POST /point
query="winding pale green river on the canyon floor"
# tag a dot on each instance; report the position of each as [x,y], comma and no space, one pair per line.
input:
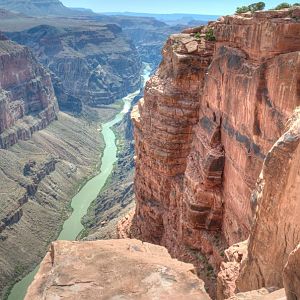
[83,199]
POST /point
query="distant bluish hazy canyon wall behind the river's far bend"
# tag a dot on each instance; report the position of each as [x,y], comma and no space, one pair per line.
[94,63]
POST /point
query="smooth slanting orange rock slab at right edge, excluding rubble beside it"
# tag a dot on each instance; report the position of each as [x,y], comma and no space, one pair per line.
[277,201]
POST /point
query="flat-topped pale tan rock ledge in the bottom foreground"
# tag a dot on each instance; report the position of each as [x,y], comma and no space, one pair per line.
[114,269]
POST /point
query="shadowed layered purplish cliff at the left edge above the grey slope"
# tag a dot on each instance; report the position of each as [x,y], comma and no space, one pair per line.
[27,100]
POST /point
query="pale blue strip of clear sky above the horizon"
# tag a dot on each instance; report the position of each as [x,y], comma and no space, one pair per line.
[206,7]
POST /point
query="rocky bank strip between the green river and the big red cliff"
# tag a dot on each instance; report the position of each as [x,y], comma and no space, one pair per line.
[116,198]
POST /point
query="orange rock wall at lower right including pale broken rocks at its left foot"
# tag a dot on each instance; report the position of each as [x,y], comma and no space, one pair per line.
[270,257]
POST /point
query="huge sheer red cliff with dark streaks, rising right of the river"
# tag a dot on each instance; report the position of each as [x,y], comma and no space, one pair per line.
[209,117]
